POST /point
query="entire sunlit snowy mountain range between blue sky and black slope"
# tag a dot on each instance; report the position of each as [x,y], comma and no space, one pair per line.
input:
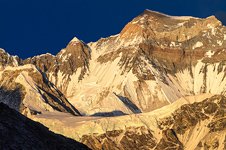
[158,67]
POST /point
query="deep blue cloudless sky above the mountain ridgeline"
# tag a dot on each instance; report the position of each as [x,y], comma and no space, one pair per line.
[31,27]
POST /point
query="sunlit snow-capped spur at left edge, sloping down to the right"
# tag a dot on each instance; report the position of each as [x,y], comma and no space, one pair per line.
[26,89]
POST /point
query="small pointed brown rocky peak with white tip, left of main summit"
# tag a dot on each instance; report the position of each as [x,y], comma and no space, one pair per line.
[70,63]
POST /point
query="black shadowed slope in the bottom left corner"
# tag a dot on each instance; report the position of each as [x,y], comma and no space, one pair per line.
[19,132]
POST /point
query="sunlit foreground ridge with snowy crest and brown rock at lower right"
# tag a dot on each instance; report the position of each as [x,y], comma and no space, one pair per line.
[194,122]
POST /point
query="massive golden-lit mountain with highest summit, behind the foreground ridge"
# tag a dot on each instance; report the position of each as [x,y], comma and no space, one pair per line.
[155,60]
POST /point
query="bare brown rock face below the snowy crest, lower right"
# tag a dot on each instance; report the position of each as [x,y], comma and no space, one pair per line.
[200,123]
